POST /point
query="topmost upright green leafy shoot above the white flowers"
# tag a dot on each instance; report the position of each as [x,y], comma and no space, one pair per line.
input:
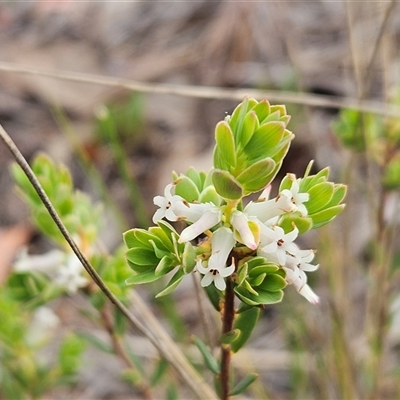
[250,147]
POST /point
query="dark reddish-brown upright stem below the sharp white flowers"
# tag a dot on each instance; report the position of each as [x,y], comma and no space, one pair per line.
[227,326]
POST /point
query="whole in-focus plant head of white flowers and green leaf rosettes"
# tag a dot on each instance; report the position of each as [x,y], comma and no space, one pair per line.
[249,245]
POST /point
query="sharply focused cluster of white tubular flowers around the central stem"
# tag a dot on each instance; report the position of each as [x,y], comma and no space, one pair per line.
[255,227]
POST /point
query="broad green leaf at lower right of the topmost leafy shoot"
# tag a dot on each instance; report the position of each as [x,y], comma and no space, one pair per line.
[256,177]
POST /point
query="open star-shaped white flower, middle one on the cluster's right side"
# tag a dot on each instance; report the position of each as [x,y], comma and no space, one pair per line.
[277,244]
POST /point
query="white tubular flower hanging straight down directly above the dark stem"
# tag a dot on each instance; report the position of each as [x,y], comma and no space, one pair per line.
[222,243]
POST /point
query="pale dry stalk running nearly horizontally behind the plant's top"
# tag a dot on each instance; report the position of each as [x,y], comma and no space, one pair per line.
[208,92]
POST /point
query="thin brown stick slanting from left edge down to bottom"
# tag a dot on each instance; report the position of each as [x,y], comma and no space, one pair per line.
[172,355]
